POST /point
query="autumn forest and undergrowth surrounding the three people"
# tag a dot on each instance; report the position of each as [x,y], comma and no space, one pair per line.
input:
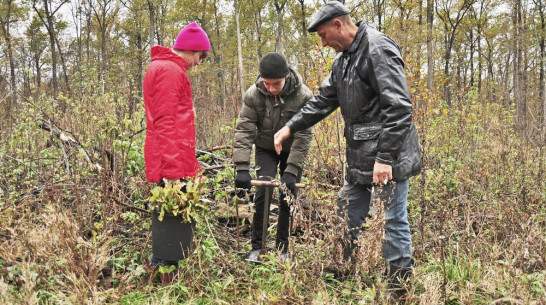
[73,223]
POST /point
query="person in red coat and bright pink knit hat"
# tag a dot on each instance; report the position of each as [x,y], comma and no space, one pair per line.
[169,150]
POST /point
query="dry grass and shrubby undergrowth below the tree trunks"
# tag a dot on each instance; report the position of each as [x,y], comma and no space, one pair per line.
[74,227]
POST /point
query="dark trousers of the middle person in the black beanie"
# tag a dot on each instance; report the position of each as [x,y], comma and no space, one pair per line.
[267,162]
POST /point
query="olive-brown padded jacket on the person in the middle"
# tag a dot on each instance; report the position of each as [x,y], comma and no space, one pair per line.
[263,115]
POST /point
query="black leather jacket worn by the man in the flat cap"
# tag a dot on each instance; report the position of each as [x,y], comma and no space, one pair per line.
[368,82]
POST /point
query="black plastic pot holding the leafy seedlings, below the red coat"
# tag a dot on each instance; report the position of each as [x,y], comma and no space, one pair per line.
[171,238]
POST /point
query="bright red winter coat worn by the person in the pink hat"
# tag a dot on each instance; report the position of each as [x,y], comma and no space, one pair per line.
[169,151]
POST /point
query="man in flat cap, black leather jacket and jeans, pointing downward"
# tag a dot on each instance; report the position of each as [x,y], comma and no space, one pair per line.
[368,83]
